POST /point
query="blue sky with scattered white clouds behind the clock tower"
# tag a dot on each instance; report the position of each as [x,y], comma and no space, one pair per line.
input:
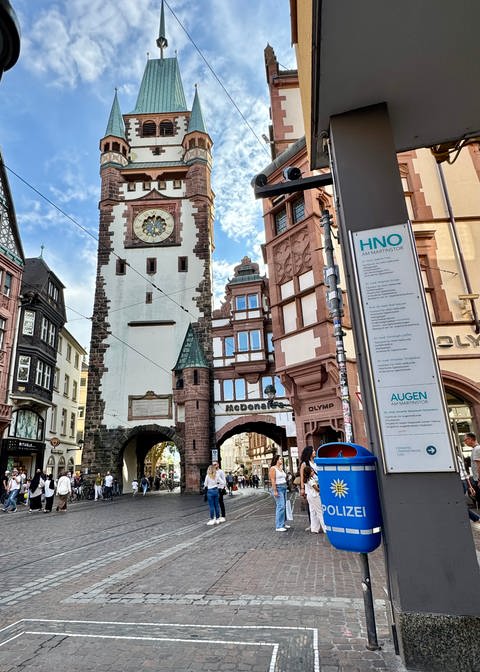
[55,102]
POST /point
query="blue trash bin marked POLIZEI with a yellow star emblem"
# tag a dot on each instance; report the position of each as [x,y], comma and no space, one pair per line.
[347,480]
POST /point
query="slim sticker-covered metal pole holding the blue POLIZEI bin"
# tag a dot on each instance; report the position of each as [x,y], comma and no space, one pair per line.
[334,303]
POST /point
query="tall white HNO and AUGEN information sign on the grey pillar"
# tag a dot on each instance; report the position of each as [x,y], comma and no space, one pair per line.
[411,410]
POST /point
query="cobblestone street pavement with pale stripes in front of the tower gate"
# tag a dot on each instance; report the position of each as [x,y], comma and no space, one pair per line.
[143,584]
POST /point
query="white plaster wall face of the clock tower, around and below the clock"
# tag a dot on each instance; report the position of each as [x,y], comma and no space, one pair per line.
[128,372]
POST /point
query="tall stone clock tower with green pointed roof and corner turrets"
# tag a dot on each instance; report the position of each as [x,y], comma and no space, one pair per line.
[153,285]
